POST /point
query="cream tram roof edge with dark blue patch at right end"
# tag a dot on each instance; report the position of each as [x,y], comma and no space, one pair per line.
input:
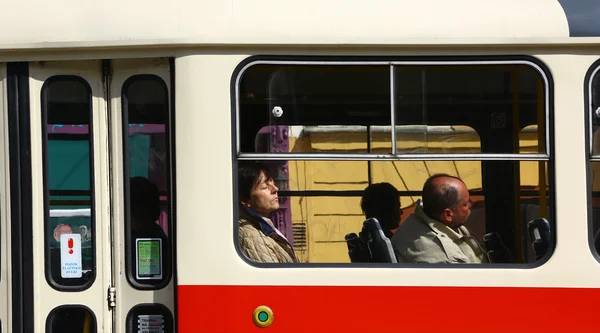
[37,24]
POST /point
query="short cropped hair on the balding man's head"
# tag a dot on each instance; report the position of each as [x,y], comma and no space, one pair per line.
[438,196]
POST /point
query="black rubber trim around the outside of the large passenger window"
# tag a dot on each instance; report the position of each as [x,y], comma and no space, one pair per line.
[550,126]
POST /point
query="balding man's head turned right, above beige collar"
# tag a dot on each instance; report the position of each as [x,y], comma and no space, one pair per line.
[446,199]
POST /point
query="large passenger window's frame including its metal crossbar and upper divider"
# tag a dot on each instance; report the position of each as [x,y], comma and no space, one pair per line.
[547,156]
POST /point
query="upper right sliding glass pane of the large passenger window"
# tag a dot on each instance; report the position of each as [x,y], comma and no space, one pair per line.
[469,109]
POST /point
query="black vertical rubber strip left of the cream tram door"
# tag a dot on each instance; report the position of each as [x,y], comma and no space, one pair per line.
[21,195]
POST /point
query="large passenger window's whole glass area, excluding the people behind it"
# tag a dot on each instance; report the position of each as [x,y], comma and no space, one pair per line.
[457,110]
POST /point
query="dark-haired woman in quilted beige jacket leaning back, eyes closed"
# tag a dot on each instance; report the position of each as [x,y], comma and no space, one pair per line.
[259,239]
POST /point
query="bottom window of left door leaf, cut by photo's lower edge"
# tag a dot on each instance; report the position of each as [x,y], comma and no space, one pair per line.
[71,319]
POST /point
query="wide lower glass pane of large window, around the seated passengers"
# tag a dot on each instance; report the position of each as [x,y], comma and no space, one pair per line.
[320,202]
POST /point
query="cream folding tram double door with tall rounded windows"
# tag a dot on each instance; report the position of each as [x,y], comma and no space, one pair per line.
[102,196]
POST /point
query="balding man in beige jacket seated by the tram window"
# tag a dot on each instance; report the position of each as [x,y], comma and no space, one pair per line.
[435,232]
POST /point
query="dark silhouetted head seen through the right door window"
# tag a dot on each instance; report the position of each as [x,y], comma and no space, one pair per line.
[144,199]
